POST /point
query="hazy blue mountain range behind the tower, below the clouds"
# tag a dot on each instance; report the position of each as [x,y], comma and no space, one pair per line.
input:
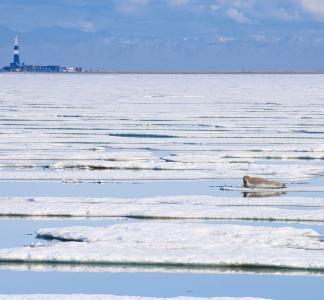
[239,48]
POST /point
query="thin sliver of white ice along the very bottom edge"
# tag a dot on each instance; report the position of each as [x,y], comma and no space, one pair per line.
[110,297]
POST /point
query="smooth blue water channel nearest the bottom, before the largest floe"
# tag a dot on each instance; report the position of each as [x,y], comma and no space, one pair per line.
[164,284]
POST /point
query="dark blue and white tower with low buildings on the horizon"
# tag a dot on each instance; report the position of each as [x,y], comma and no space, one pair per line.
[17,66]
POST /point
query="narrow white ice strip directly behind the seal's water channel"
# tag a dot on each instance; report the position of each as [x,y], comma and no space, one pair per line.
[118,171]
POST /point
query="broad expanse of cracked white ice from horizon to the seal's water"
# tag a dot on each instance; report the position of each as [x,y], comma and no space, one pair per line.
[207,126]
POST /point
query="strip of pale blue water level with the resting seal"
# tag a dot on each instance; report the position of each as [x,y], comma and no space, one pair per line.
[136,189]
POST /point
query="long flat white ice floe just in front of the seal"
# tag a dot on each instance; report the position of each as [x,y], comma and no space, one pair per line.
[169,207]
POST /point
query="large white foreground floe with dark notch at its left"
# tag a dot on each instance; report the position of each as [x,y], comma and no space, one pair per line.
[177,244]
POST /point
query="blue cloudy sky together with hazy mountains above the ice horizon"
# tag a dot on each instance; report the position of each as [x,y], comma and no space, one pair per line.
[166,35]
